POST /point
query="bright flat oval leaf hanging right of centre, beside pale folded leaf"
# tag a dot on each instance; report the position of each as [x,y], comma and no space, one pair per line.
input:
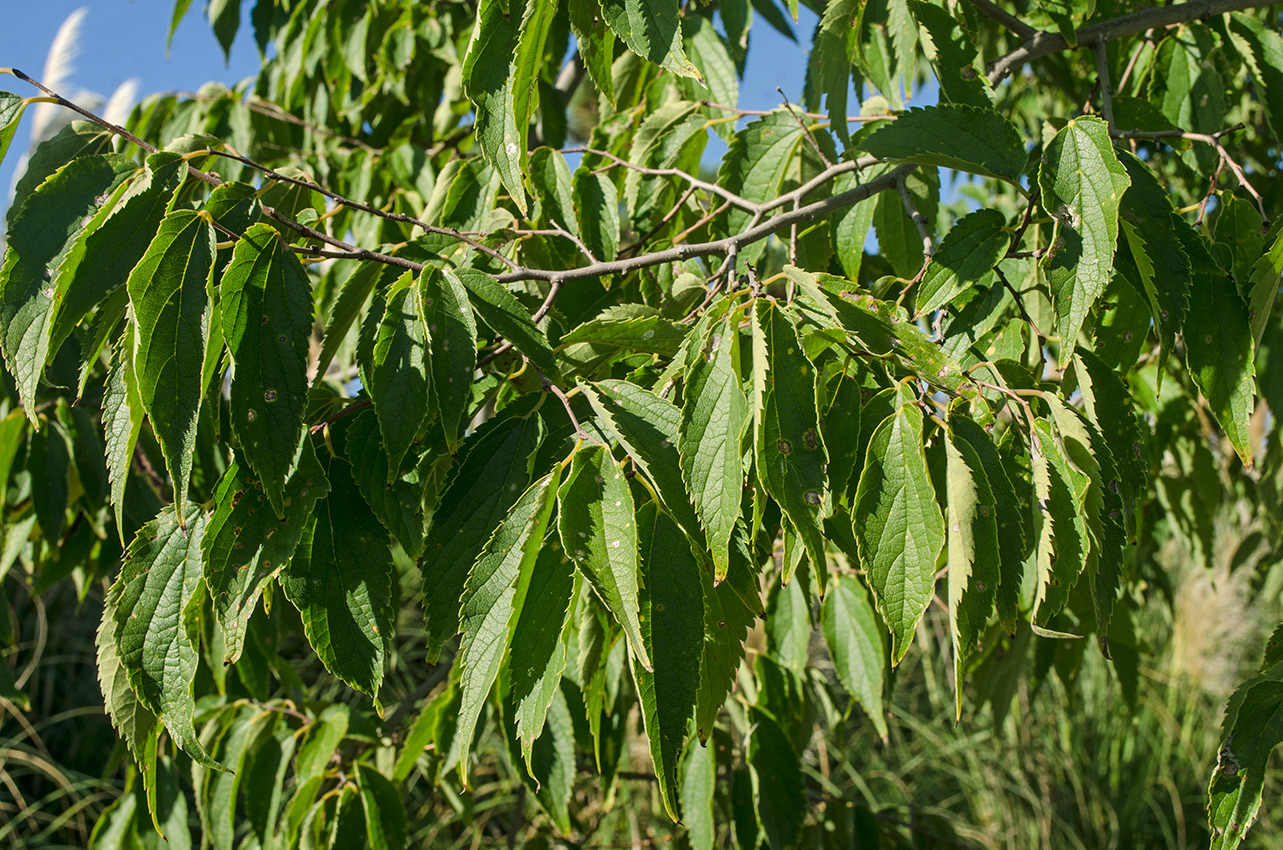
[899,526]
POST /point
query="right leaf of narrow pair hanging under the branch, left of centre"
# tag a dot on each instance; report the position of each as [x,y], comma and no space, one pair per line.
[454,349]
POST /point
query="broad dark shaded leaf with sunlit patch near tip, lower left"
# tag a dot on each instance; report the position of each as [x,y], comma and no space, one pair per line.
[341,580]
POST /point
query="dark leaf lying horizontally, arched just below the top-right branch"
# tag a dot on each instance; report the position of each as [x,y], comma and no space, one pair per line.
[958,137]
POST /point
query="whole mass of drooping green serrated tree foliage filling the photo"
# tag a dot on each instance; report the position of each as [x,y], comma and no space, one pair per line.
[459,431]
